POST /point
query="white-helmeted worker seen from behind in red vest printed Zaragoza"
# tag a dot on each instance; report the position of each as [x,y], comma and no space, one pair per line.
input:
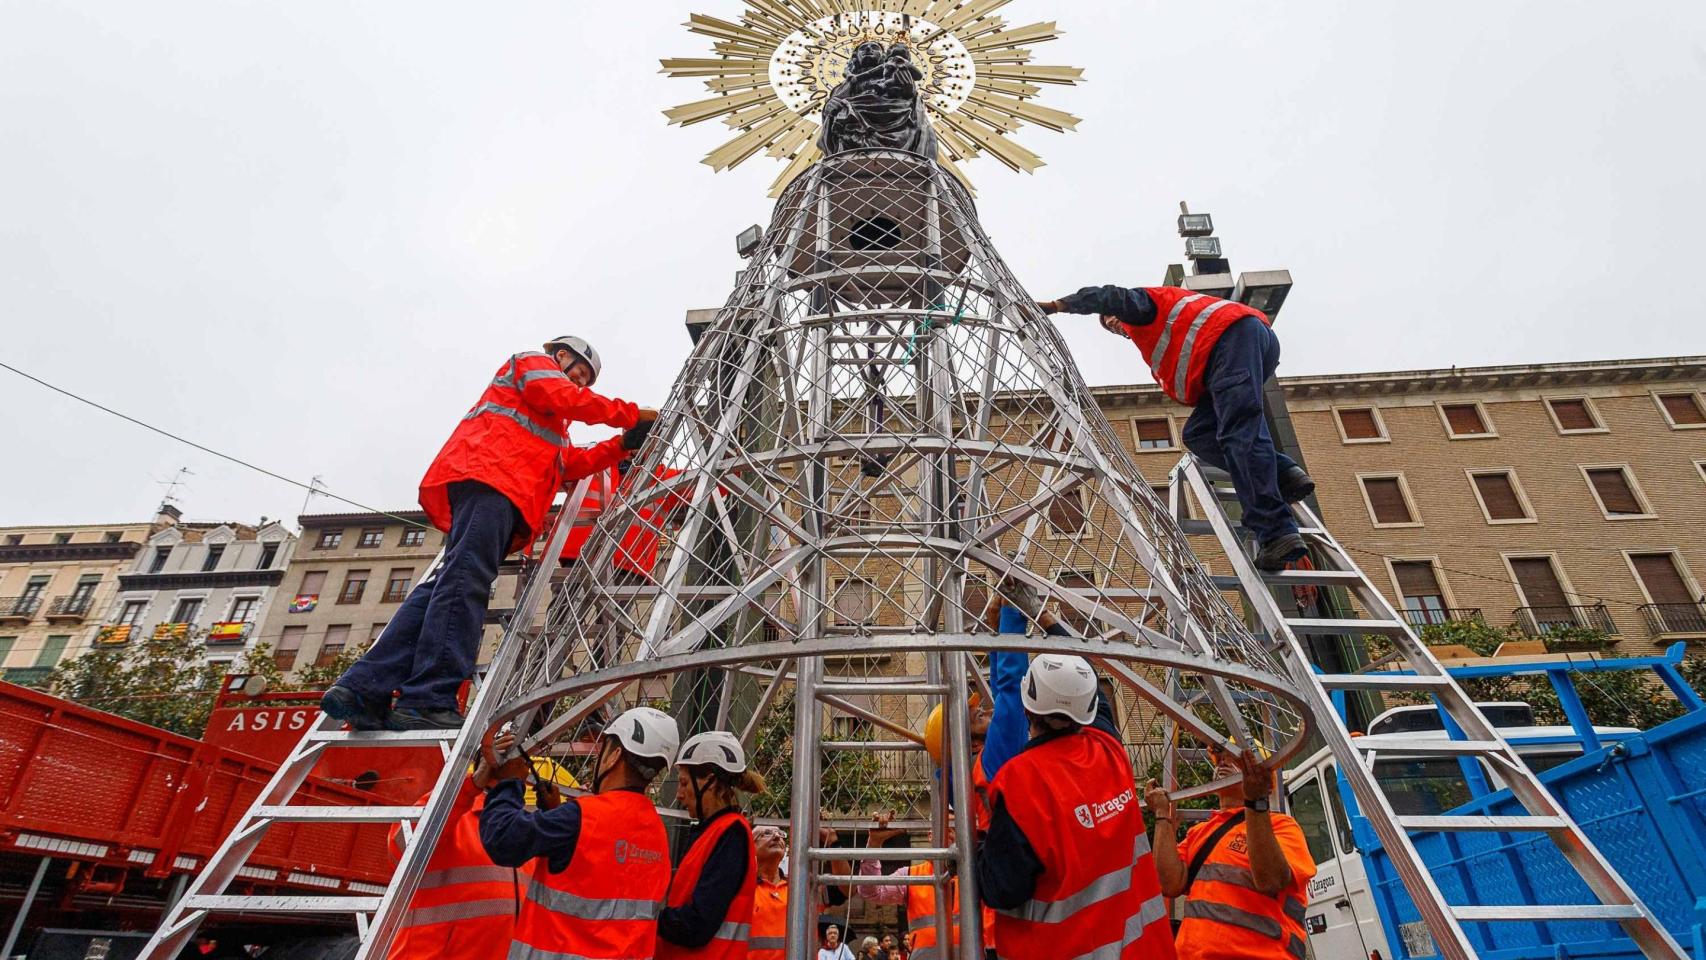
[1064,819]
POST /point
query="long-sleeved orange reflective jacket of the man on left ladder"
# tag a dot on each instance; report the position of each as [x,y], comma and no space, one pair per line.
[516,441]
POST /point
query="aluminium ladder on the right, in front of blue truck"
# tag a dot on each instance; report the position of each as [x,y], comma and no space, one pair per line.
[1410,669]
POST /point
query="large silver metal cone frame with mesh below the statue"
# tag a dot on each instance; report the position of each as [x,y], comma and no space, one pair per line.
[876,431]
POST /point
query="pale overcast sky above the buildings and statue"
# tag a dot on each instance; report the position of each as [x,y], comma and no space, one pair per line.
[308,233]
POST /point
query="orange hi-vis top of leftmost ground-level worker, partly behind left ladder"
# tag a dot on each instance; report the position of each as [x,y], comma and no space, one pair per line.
[465,905]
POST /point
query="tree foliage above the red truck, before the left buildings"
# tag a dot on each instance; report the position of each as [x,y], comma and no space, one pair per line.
[168,683]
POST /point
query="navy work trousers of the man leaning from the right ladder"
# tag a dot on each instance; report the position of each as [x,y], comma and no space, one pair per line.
[1227,429]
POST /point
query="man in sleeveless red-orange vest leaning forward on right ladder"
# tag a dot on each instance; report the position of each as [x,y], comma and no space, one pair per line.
[1214,356]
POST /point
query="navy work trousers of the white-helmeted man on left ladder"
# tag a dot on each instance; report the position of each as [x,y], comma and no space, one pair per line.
[431,645]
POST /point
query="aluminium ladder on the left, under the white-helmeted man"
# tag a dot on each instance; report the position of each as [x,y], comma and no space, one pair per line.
[376,918]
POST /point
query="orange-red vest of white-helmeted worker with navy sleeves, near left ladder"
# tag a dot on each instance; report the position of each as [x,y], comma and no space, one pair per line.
[605,905]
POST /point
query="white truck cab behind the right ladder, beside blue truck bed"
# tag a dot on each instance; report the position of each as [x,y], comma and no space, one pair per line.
[1342,918]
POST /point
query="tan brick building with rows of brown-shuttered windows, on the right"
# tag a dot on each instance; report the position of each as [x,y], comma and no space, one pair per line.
[1540,495]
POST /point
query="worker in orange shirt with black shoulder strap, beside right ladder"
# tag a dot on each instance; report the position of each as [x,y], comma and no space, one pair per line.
[1245,872]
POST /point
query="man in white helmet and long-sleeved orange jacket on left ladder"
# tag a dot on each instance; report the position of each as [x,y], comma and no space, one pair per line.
[489,490]
